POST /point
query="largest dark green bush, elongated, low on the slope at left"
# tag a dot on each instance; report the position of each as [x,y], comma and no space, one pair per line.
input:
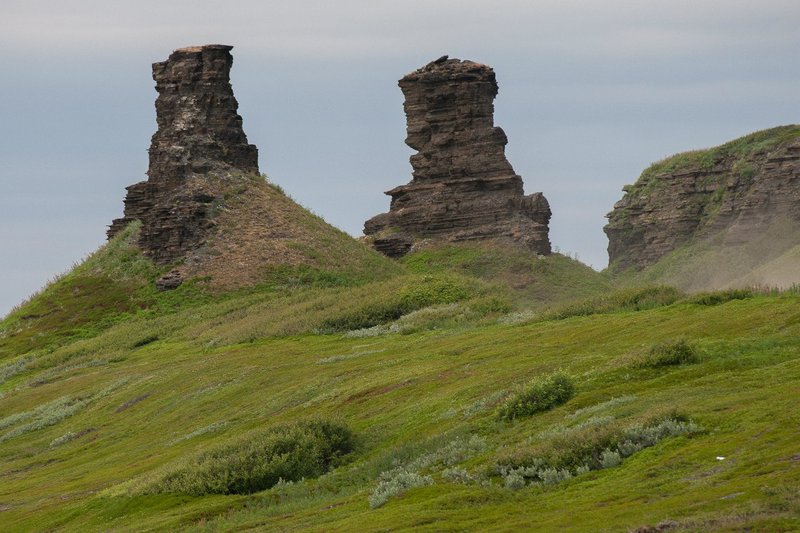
[259,461]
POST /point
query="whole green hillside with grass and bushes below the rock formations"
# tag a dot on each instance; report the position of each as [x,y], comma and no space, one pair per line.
[463,388]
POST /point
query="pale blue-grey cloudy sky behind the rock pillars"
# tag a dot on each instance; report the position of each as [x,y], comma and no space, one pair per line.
[591,93]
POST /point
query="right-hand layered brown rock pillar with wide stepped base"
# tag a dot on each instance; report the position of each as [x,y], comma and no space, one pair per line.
[463,187]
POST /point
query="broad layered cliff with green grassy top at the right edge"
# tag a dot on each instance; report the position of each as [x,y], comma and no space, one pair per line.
[734,193]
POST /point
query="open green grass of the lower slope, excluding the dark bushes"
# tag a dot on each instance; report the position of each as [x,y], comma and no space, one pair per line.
[157,392]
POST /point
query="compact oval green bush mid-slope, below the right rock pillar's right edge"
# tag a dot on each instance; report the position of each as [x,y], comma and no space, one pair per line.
[539,394]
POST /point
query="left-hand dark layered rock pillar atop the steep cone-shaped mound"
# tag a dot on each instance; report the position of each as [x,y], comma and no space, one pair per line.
[199,134]
